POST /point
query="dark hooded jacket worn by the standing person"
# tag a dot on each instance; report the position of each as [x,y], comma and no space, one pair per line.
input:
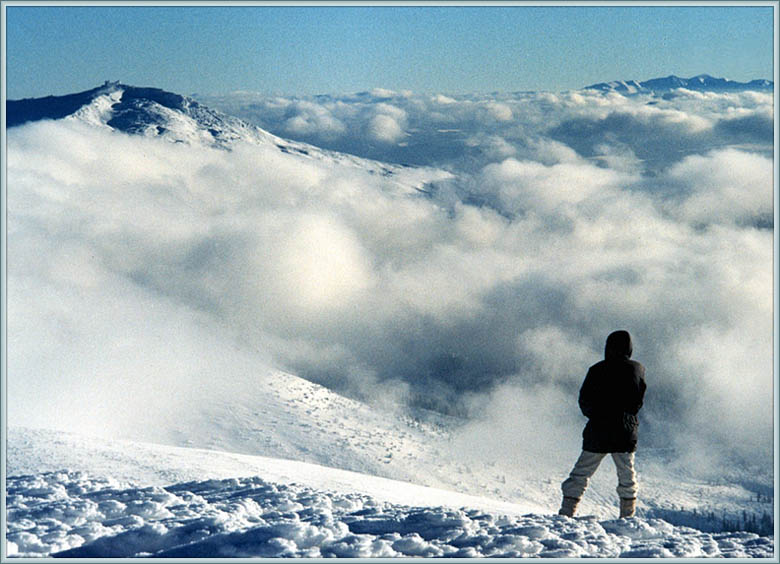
[611,397]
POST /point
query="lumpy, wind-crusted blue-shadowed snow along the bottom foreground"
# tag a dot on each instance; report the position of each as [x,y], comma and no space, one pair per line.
[74,515]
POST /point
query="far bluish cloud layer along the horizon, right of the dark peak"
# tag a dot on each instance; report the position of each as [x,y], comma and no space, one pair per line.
[647,132]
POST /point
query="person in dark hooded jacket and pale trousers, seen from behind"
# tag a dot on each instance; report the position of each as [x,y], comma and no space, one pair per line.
[610,397]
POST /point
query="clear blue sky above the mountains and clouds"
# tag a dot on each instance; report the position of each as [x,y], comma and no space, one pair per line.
[330,49]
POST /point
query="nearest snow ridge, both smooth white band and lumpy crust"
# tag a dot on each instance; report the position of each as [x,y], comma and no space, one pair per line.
[77,515]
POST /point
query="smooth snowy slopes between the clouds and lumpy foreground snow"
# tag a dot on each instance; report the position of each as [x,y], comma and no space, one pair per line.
[307,434]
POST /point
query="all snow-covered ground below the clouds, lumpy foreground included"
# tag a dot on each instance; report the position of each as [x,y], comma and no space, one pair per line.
[214,496]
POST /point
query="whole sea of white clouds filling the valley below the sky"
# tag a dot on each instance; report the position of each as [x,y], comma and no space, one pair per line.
[141,270]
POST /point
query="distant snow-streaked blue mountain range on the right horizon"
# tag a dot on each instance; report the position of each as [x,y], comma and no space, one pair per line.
[702,82]
